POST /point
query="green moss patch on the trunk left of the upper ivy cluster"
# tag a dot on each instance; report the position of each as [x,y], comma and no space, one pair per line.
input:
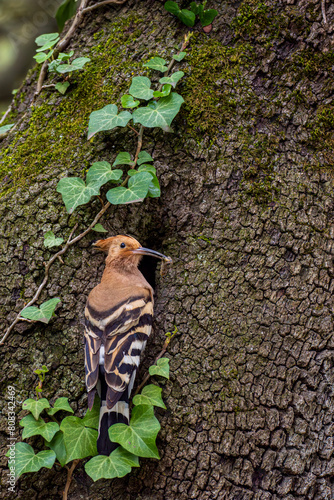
[56,133]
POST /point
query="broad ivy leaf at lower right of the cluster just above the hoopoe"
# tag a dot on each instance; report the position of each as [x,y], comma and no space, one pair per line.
[136,191]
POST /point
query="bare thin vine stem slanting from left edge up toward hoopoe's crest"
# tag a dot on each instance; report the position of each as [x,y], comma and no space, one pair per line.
[69,243]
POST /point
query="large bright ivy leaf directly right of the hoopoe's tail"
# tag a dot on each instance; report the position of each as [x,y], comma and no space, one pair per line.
[139,436]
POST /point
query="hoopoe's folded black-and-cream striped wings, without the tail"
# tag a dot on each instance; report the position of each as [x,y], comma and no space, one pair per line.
[114,340]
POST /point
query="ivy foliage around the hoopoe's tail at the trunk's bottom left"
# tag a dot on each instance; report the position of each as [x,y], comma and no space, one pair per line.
[73,438]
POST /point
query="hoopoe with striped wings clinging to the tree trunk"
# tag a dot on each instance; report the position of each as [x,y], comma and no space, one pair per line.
[118,322]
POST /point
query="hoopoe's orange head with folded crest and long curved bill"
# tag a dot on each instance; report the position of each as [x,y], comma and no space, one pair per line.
[126,250]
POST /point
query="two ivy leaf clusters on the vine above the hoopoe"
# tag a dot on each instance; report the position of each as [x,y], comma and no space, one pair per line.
[150,108]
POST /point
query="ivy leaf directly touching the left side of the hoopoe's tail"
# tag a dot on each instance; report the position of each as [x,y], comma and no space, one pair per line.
[80,440]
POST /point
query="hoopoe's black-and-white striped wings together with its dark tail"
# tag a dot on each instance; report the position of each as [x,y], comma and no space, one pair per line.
[114,341]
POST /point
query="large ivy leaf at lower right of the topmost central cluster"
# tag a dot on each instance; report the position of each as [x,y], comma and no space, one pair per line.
[159,113]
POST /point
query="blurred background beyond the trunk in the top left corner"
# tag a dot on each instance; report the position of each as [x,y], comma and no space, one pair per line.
[21,21]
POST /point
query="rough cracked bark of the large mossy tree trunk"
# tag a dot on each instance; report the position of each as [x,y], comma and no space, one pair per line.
[247,207]
